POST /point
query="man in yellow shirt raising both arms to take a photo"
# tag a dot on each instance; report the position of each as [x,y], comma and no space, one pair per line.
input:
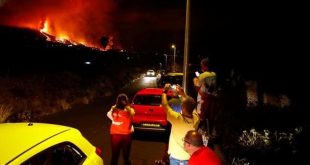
[182,122]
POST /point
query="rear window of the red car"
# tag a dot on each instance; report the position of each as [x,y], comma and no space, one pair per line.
[154,100]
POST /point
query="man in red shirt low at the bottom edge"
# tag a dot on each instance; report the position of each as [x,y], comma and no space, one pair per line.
[199,153]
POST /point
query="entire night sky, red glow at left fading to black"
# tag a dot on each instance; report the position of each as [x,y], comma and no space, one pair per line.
[261,37]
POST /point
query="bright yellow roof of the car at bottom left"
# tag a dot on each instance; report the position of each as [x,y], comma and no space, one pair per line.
[16,138]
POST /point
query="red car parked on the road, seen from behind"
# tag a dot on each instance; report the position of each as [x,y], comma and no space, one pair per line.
[149,114]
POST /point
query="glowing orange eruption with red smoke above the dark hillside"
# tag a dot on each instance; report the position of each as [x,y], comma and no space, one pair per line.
[69,22]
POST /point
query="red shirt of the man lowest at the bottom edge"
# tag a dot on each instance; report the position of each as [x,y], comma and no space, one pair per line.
[204,156]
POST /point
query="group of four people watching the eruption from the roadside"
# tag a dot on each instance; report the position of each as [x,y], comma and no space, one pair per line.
[190,126]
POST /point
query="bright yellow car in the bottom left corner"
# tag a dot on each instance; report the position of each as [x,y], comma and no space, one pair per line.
[45,144]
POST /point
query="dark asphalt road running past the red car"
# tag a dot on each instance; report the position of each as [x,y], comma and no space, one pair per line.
[92,121]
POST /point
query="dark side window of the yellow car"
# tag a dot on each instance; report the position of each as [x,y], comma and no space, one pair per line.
[60,154]
